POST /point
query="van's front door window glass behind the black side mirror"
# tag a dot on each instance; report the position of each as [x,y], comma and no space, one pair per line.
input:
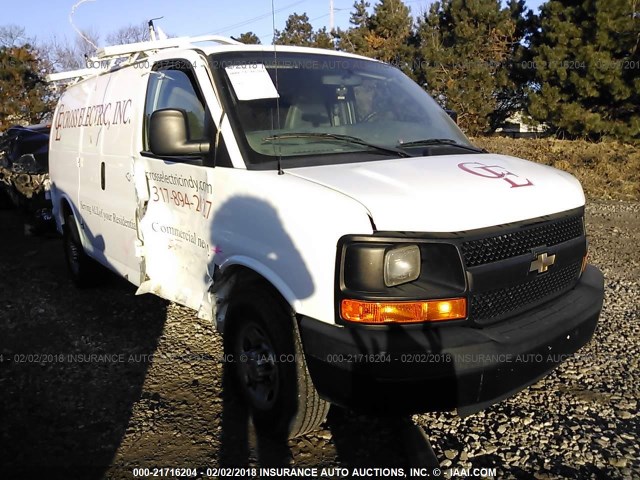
[176,88]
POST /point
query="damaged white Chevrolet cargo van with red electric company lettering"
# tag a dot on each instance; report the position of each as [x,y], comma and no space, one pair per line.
[346,238]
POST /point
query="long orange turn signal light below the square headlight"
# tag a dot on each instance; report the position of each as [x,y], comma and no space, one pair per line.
[403,312]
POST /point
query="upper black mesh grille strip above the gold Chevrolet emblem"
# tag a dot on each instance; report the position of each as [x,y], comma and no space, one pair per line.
[500,247]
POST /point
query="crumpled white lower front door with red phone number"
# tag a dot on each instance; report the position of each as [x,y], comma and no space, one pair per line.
[174,213]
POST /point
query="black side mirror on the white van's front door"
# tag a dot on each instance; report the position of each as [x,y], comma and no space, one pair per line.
[169,135]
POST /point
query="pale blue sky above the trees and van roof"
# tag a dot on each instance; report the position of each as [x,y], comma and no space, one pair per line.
[43,19]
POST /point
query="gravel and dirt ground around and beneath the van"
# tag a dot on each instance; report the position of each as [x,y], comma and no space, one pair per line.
[152,394]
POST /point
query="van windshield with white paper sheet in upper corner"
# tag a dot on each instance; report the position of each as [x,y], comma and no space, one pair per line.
[314,109]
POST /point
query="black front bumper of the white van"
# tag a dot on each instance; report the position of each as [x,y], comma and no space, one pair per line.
[417,368]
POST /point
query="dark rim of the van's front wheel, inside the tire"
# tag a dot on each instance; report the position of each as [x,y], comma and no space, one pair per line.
[257,366]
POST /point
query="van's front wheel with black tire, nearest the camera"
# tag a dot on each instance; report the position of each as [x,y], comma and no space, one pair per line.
[267,363]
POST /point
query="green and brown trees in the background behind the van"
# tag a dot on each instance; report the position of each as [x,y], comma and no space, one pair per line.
[575,67]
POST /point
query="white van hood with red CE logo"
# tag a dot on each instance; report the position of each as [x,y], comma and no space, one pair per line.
[450,193]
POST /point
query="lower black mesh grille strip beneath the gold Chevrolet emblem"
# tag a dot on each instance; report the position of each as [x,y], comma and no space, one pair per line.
[490,306]
